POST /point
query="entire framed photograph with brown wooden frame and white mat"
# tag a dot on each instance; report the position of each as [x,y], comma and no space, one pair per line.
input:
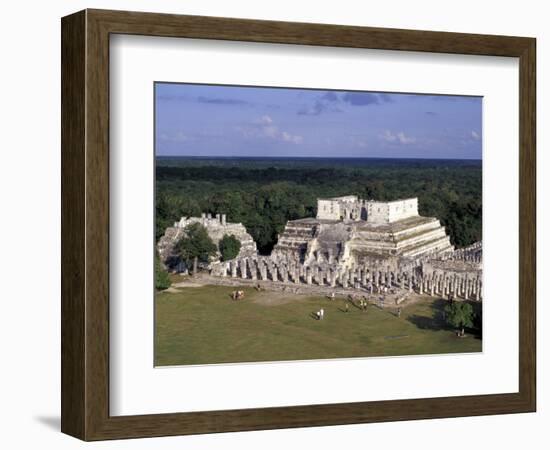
[273,225]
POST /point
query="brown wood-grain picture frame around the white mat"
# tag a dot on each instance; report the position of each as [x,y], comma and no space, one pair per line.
[85,224]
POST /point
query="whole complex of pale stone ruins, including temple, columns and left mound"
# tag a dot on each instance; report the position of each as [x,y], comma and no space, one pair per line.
[351,246]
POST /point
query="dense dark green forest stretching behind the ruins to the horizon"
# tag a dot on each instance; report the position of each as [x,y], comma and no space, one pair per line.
[263,194]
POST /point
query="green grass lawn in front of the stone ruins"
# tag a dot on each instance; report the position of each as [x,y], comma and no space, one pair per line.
[202,325]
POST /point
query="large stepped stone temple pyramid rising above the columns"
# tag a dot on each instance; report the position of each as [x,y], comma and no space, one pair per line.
[353,231]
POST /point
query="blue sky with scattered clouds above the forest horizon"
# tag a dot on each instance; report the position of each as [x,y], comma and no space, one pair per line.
[211,120]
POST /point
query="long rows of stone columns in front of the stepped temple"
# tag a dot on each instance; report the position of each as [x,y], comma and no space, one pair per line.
[374,279]
